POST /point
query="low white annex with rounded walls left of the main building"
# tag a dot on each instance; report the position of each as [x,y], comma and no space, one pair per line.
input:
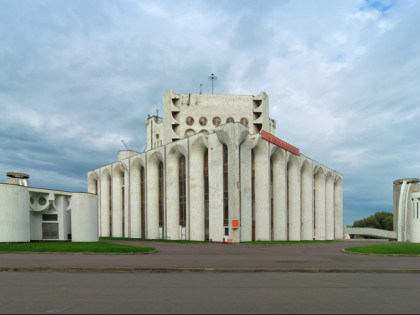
[35,214]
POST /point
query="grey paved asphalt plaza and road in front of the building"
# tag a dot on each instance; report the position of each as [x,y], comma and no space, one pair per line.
[212,278]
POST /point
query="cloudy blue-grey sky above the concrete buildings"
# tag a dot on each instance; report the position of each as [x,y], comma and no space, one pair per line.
[343,77]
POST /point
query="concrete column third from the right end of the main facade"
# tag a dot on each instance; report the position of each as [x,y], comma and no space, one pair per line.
[320,205]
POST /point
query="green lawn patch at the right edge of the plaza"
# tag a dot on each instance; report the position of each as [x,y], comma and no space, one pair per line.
[393,249]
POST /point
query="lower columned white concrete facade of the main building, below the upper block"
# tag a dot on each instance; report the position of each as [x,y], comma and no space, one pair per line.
[303,200]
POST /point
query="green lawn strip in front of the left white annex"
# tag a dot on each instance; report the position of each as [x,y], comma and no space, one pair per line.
[70,247]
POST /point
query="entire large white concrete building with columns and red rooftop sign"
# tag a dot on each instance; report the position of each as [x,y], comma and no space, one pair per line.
[212,170]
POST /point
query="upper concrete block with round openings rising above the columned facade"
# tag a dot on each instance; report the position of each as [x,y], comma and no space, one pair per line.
[188,114]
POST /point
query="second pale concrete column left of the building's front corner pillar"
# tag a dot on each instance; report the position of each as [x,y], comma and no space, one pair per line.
[197,192]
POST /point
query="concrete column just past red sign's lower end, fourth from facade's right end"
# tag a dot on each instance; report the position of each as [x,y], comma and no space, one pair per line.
[307,202]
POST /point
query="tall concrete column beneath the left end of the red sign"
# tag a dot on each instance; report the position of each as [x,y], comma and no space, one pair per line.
[262,191]
